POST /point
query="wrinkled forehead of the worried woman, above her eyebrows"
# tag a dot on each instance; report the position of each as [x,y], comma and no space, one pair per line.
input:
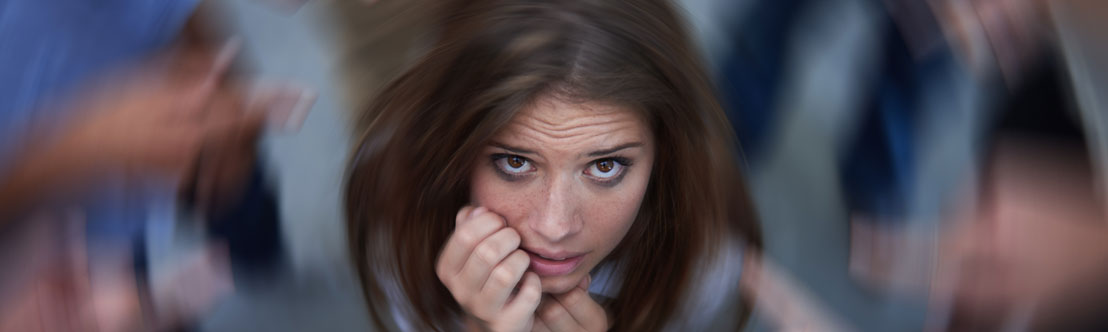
[559,123]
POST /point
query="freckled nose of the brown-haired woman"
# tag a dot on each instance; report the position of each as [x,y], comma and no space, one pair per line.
[557,216]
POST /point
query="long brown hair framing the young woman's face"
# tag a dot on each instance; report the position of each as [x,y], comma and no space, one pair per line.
[413,162]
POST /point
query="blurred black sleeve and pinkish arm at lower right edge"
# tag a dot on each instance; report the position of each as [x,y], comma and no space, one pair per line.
[1031,253]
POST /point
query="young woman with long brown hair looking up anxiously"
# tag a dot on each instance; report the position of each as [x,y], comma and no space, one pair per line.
[550,167]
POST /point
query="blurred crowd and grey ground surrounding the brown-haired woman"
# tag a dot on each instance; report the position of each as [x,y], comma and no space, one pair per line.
[918,165]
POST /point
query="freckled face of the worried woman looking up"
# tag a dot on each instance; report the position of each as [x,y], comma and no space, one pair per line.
[569,178]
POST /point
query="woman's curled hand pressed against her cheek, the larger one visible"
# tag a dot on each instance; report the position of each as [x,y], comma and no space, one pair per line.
[481,265]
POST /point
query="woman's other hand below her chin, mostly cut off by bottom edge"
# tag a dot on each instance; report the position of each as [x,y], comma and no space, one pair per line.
[572,312]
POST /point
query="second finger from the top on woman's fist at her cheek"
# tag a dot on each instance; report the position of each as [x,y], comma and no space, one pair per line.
[487,255]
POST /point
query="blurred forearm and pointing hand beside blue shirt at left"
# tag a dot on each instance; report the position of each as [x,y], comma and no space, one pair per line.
[177,119]
